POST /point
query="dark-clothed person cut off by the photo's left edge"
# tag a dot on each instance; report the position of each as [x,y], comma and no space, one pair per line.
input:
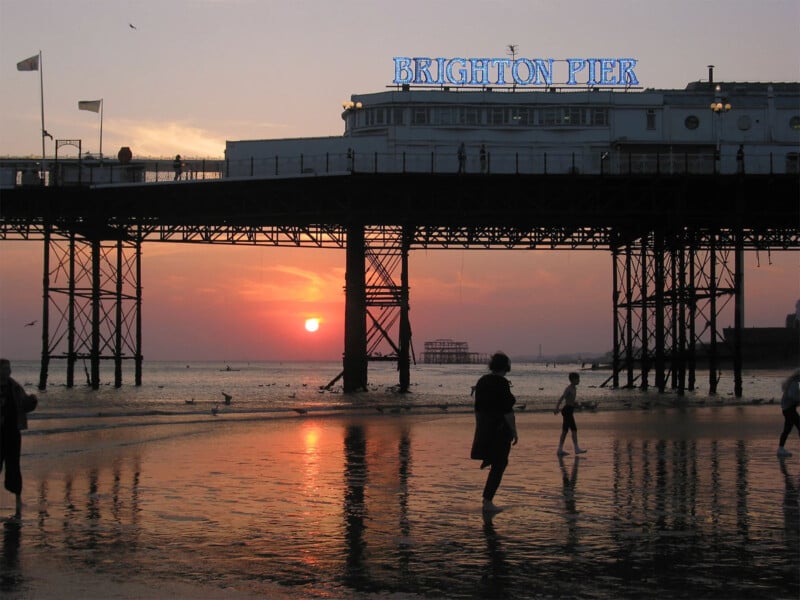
[15,405]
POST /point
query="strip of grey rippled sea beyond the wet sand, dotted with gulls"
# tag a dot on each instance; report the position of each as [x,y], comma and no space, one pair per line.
[183,389]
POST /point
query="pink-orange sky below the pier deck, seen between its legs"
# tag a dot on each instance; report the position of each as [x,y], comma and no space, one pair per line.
[243,303]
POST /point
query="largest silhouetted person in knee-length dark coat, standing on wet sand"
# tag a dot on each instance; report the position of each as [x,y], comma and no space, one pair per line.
[495,425]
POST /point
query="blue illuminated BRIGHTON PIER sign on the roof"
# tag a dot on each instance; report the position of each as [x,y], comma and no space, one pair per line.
[521,71]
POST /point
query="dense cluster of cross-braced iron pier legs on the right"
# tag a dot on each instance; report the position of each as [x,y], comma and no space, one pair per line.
[668,295]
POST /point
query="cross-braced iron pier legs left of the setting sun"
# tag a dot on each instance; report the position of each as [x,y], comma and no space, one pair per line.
[92,289]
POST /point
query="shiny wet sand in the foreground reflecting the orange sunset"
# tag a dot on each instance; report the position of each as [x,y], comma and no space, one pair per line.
[666,503]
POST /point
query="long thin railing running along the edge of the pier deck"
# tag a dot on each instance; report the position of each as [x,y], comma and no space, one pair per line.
[16,172]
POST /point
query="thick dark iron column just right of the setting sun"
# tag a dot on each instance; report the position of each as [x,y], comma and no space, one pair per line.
[355,329]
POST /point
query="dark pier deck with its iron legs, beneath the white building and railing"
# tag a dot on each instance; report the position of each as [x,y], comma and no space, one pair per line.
[676,244]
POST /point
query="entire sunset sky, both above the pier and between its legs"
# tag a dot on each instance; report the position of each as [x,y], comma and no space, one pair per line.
[184,76]
